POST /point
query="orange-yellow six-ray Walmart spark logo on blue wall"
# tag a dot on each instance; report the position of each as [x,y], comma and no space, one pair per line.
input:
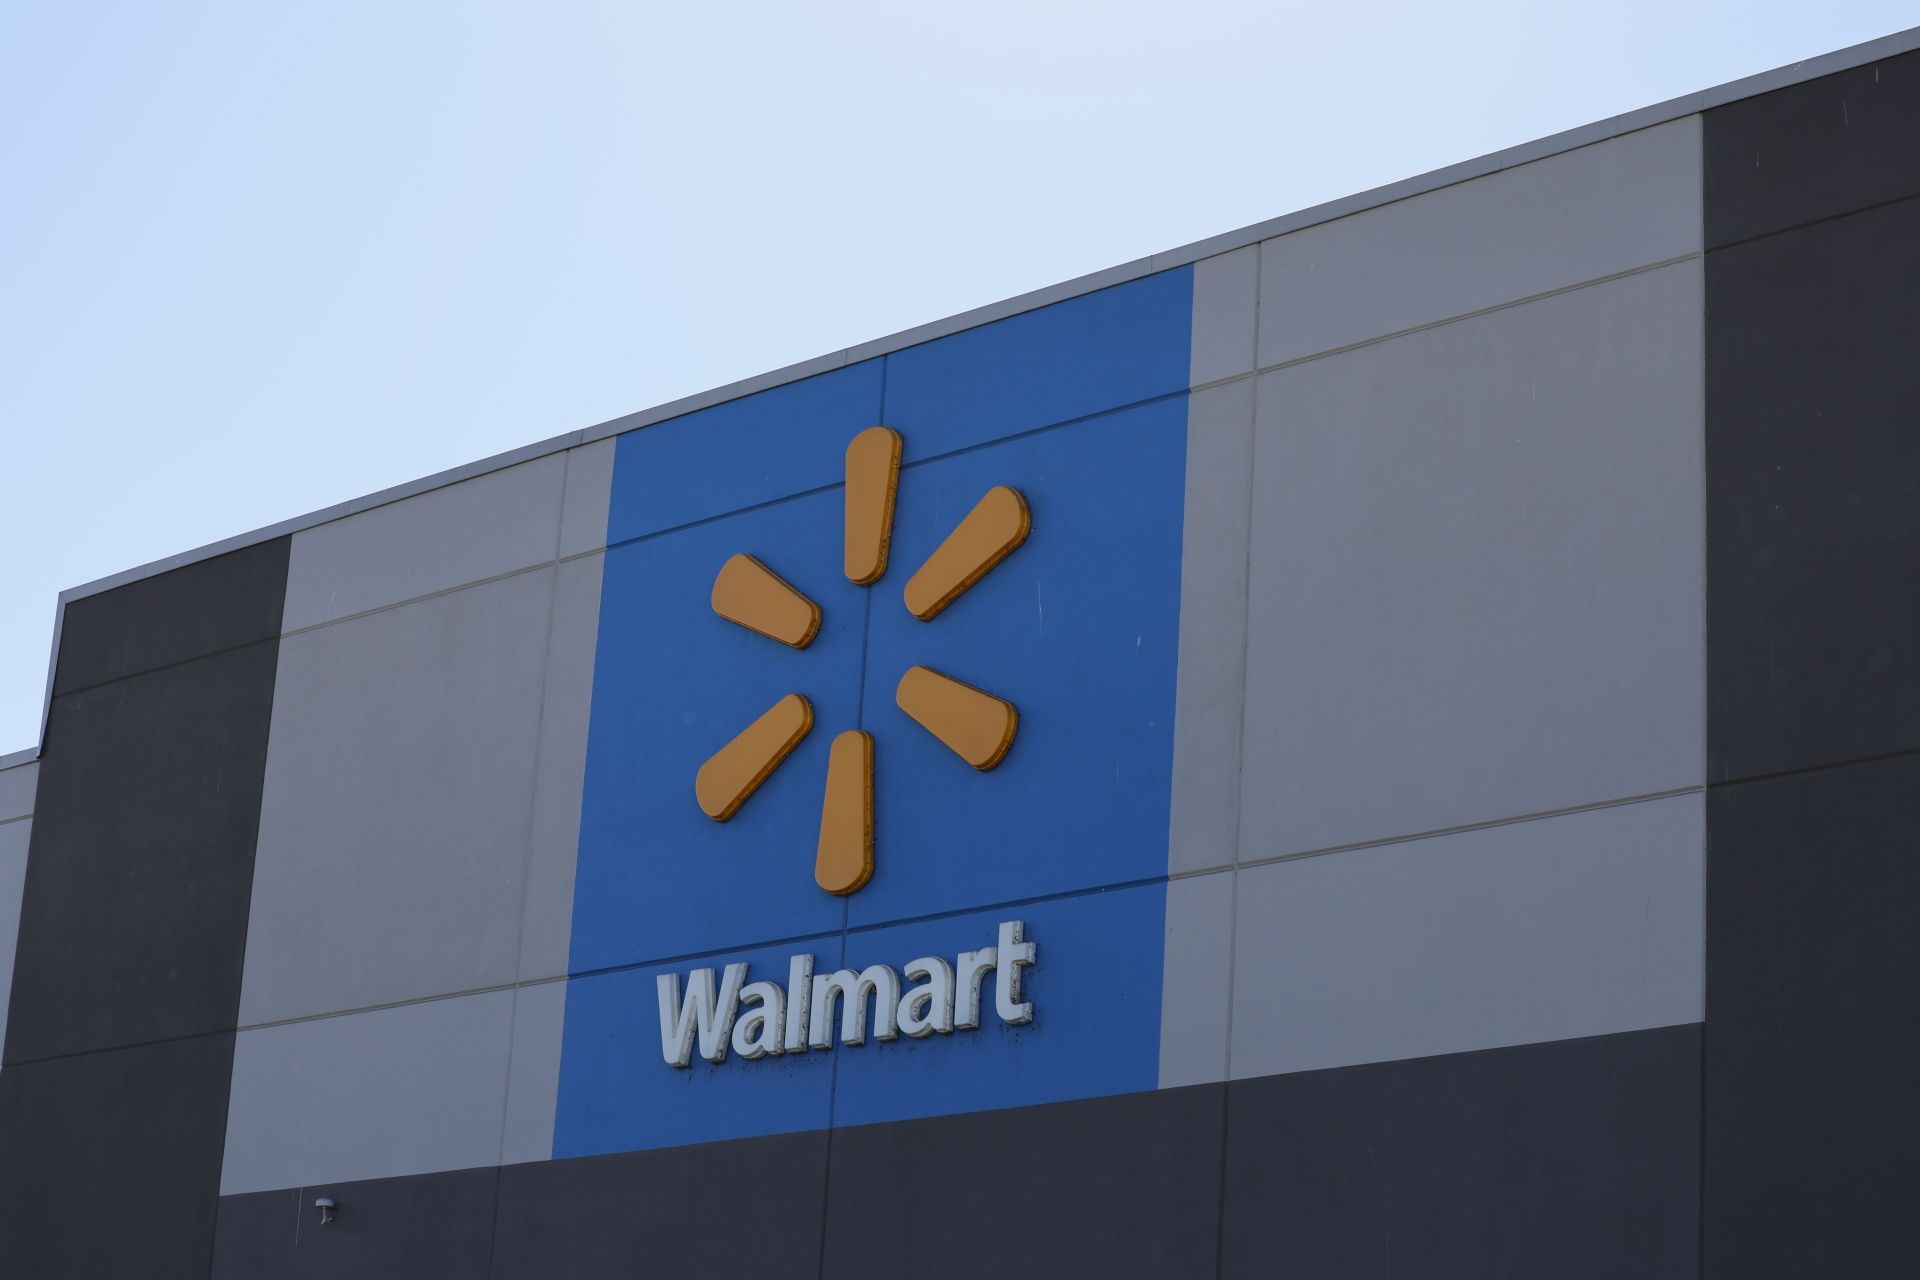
[974,724]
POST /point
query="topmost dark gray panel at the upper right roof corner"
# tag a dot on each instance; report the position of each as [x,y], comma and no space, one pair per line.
[1813,151]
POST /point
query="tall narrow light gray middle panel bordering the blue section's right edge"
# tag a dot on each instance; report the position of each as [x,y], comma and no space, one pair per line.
[1212,663]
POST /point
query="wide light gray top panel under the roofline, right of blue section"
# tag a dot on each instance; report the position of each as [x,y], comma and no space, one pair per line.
[1512,235]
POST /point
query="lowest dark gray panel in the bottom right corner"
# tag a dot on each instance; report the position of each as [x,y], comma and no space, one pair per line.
[1813,1139]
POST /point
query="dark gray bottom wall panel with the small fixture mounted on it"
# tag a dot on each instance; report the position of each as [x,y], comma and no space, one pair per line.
[435,1227]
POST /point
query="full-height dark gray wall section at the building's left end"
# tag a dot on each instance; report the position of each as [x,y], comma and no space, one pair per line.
[133,922]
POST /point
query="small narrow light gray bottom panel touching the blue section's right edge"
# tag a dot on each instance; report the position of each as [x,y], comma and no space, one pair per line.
[1195,995]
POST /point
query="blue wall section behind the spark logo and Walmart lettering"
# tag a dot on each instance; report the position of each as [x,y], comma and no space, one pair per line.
[1082,410]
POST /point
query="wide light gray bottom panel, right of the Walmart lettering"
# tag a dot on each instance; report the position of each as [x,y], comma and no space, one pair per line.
[1543,930]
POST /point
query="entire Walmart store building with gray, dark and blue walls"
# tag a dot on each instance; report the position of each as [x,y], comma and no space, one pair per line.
[1380,746]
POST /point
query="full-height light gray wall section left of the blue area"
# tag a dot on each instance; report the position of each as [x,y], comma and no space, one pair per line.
[402,903]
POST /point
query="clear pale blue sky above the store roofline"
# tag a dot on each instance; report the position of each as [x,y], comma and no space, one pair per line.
[262,258]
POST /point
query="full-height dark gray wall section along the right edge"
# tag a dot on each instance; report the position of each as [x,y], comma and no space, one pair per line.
[1815,676]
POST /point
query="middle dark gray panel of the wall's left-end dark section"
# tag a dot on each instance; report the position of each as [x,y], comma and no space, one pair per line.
[139,876]
